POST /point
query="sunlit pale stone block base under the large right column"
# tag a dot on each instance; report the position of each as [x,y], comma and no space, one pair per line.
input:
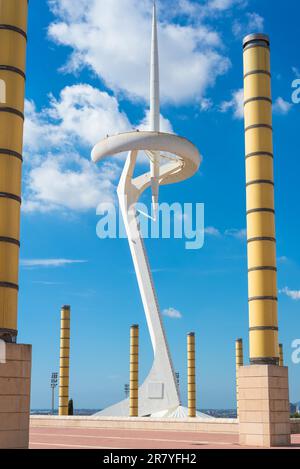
[264,407]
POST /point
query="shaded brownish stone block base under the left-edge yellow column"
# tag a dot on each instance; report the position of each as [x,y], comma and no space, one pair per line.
[15,373]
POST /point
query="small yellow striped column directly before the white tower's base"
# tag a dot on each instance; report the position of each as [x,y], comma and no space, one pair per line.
[134,372]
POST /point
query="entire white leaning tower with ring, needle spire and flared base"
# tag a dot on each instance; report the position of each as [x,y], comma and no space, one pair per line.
[159,391]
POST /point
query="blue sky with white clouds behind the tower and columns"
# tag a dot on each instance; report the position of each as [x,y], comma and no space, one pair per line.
[87,76]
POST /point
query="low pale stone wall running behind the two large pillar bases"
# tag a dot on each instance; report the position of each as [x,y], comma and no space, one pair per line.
[215,425]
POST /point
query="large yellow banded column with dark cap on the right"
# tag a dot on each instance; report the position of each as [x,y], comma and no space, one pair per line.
[262,270]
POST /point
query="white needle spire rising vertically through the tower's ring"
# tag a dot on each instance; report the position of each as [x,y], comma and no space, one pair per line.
[154,111]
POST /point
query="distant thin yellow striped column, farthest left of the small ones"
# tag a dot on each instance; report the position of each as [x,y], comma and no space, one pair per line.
[64,370]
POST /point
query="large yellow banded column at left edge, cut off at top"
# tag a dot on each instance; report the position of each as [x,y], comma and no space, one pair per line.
[13,39]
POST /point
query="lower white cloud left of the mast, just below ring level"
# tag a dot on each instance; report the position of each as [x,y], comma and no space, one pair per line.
[69,182]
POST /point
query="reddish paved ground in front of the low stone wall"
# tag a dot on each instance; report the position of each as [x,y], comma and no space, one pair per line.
[88,438]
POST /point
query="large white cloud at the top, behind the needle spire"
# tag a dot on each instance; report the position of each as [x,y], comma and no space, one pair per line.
[112,38]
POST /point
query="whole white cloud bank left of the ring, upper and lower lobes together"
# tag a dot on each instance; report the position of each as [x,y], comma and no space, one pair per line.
[57,177]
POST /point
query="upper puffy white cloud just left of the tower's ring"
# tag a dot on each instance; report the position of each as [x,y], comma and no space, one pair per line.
[81,116]
